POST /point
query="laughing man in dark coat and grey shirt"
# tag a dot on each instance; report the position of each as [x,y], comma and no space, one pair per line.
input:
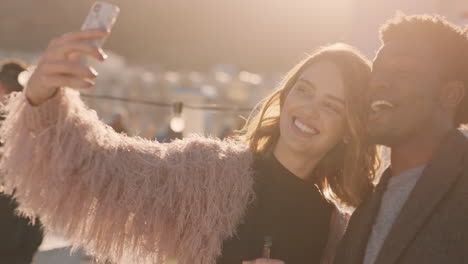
[418,212]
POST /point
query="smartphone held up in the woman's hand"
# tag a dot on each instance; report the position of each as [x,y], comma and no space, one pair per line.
[101,16]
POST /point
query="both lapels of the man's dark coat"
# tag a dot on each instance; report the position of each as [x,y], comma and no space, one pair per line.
[439,175]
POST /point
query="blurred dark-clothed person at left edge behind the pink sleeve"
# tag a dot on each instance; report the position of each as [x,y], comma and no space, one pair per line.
[19,237]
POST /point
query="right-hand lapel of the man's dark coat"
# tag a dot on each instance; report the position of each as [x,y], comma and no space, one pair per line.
[437,179]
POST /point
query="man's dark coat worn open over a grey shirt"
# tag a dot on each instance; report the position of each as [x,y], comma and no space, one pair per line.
[432,226]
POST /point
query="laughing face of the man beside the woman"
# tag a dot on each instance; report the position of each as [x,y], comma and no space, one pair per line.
[404,91]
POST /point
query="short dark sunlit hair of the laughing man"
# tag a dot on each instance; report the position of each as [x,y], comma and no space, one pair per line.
[450,43]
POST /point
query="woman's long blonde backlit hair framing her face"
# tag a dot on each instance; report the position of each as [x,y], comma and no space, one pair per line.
[346,172]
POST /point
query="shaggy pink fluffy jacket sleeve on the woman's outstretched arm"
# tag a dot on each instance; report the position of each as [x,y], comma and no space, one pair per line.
[128,199]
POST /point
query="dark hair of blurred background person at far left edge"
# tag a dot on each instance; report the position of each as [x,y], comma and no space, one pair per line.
[10,69]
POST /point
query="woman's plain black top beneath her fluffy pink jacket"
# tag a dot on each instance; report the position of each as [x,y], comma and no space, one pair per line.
[288,209]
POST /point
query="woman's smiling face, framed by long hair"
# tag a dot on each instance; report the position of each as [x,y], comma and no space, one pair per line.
[312,118]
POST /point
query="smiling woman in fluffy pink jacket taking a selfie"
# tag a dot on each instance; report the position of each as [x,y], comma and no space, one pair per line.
[197,200]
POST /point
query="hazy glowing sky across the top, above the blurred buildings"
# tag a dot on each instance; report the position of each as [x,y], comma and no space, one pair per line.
[257,35]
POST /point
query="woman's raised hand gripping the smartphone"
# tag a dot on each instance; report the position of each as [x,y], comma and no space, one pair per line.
[60,66]
